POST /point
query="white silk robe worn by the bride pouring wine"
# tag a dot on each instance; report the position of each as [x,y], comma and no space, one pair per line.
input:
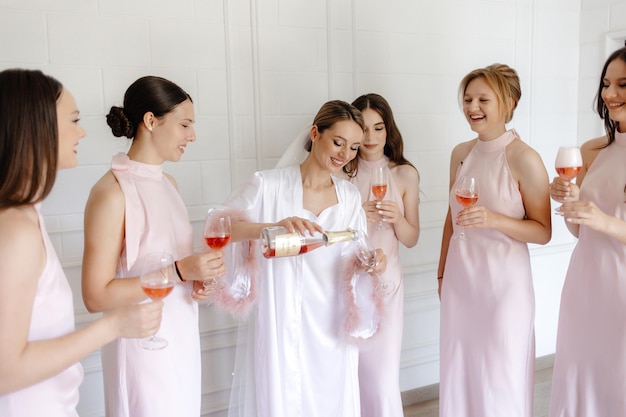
[297,361]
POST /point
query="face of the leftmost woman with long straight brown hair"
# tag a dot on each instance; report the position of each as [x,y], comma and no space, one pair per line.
[70,131]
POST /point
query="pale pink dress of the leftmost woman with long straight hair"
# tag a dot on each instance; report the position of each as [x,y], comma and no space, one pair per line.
[52,317]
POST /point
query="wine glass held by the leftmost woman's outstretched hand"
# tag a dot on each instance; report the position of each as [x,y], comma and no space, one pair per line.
[157,280]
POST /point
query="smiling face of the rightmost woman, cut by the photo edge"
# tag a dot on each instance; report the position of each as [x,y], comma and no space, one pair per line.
[614,92]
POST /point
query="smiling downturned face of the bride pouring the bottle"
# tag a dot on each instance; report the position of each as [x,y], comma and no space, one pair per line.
[337,145]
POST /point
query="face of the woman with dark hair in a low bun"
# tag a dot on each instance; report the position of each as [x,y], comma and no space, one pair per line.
[172,132]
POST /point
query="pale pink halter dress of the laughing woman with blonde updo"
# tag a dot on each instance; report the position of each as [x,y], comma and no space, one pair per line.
[487,302]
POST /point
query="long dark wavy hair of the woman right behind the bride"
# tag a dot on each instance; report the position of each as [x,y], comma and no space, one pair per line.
[394,146]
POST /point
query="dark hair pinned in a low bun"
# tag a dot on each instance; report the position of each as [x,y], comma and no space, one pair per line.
[147,94]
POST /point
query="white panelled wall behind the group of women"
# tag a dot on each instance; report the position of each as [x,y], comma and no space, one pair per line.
[258,70]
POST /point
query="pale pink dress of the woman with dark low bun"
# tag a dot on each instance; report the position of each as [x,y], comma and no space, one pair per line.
[166,382]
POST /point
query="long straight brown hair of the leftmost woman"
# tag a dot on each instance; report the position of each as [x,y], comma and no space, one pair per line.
[29,136]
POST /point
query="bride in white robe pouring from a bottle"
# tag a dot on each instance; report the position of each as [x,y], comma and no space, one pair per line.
[298,360]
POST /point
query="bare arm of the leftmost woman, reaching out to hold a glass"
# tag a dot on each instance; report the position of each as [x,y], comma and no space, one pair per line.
[24,362]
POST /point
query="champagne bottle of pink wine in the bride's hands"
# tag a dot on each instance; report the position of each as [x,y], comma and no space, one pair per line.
[277,241]
